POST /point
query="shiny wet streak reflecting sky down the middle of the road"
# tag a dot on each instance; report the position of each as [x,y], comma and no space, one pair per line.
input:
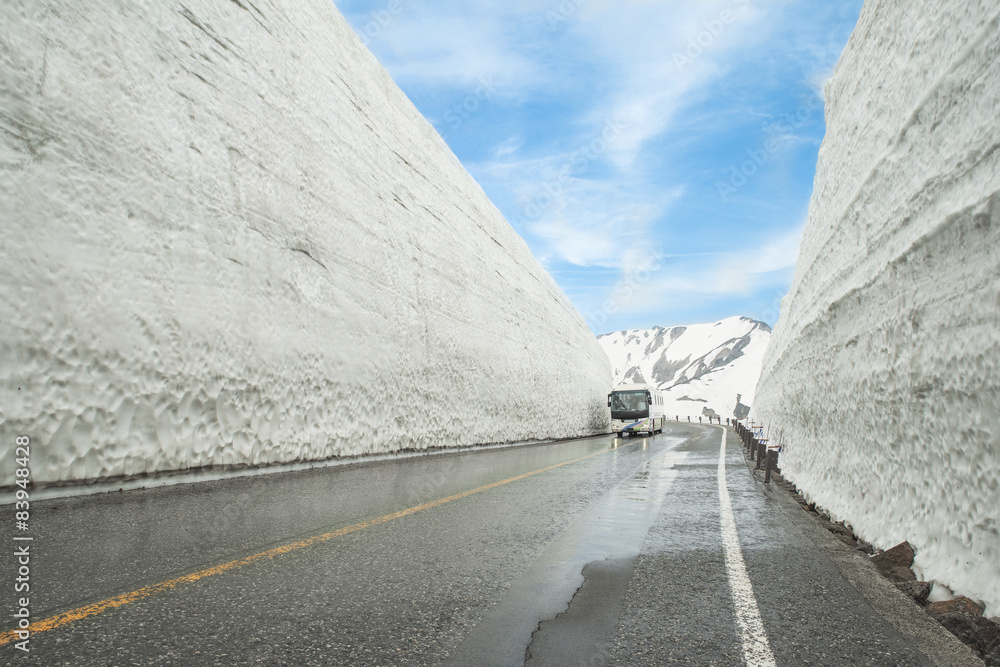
[613,528]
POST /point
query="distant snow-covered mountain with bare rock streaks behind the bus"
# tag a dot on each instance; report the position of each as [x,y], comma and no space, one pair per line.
[702,368]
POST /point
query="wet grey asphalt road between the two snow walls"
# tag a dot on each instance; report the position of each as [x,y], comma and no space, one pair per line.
[589,552]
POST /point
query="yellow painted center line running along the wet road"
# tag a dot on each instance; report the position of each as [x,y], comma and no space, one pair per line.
[67,617]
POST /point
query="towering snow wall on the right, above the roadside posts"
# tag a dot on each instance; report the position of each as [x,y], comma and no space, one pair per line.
[884,369]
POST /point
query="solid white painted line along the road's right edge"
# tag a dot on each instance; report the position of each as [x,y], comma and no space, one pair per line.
[756,649]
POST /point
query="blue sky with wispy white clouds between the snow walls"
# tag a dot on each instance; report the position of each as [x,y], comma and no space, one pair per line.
[656,155]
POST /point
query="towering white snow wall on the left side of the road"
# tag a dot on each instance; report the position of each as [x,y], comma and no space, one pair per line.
[229,238]
